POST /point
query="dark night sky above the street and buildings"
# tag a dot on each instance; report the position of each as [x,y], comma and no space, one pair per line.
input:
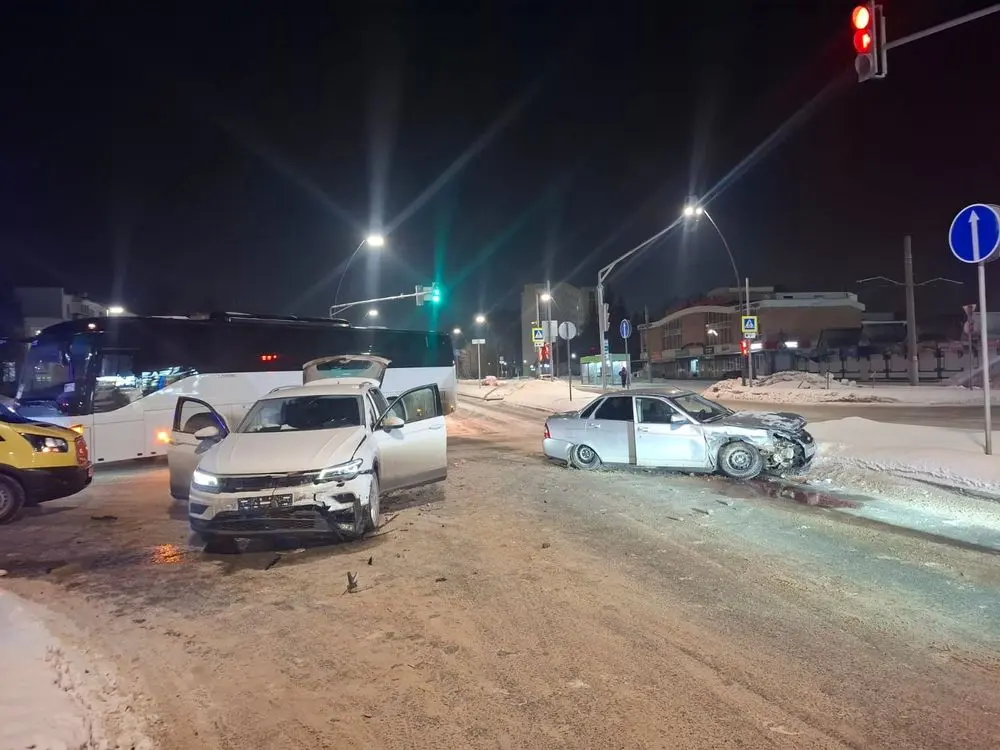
[225,152]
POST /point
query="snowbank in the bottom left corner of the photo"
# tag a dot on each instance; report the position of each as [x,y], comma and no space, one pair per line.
[47,700]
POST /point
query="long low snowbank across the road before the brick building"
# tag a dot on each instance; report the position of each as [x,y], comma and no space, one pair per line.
[792,387]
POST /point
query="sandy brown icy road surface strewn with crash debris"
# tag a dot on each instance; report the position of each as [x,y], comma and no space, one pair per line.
[522,605]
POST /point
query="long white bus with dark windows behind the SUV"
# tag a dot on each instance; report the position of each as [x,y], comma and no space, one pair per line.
[117,380]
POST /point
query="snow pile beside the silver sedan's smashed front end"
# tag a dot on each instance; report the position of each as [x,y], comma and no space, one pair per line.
[867,455]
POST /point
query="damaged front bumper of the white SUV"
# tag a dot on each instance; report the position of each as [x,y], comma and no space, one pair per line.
[330,509]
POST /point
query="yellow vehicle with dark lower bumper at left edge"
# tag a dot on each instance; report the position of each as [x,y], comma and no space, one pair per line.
[38,462]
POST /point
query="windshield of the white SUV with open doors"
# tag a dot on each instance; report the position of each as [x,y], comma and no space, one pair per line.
[299,413]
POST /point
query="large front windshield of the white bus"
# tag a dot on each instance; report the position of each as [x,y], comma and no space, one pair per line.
[55,370]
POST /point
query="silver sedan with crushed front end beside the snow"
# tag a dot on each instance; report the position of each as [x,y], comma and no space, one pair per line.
[681,430]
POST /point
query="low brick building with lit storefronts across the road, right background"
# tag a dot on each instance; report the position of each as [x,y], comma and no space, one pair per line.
[702,338]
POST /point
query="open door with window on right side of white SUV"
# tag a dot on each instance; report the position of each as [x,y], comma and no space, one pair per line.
[414,452]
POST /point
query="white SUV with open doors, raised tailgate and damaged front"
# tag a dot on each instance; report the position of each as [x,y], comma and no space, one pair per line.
[310,460]
